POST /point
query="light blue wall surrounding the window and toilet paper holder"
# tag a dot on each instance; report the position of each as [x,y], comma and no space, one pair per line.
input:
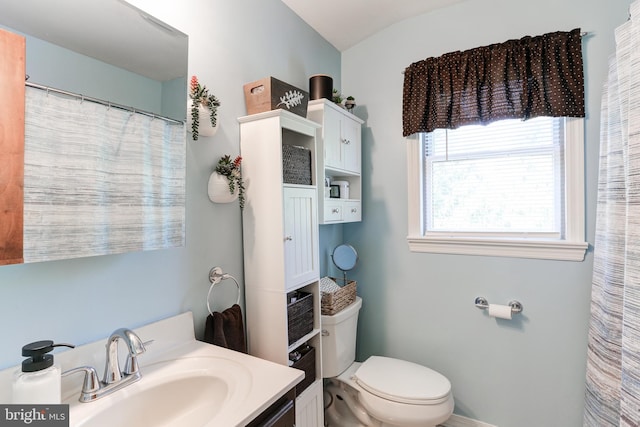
[528,372]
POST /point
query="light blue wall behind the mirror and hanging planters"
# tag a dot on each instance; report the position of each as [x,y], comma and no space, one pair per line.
[79,301]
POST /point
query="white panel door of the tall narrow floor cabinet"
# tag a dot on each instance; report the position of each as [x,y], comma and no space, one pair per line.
[301,236]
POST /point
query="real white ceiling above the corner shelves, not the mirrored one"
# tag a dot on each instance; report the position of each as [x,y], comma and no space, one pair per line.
[346,23]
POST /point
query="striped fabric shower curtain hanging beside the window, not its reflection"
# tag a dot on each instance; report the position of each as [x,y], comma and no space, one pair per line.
[613,364]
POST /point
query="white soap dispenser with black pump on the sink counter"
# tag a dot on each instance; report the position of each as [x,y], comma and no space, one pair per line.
[39,380]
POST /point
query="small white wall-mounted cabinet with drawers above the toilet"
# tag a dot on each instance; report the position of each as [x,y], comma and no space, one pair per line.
[339,142]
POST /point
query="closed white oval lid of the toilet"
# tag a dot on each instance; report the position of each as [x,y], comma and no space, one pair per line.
[402,381]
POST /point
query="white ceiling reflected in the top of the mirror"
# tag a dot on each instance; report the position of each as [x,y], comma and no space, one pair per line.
[112,31]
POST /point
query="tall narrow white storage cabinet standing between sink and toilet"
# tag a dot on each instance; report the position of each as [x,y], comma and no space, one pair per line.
[281,252]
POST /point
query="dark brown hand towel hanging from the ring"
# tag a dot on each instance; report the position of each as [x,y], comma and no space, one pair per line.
[226,329]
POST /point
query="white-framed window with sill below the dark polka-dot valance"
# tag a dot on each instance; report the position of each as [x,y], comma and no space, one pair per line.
[511,188]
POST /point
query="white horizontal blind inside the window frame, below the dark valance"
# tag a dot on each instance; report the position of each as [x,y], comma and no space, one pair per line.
[505,177]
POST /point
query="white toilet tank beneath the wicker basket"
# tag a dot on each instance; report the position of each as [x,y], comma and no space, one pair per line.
[339,340]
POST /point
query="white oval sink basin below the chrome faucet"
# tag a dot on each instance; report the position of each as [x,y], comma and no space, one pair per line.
[191,391]
